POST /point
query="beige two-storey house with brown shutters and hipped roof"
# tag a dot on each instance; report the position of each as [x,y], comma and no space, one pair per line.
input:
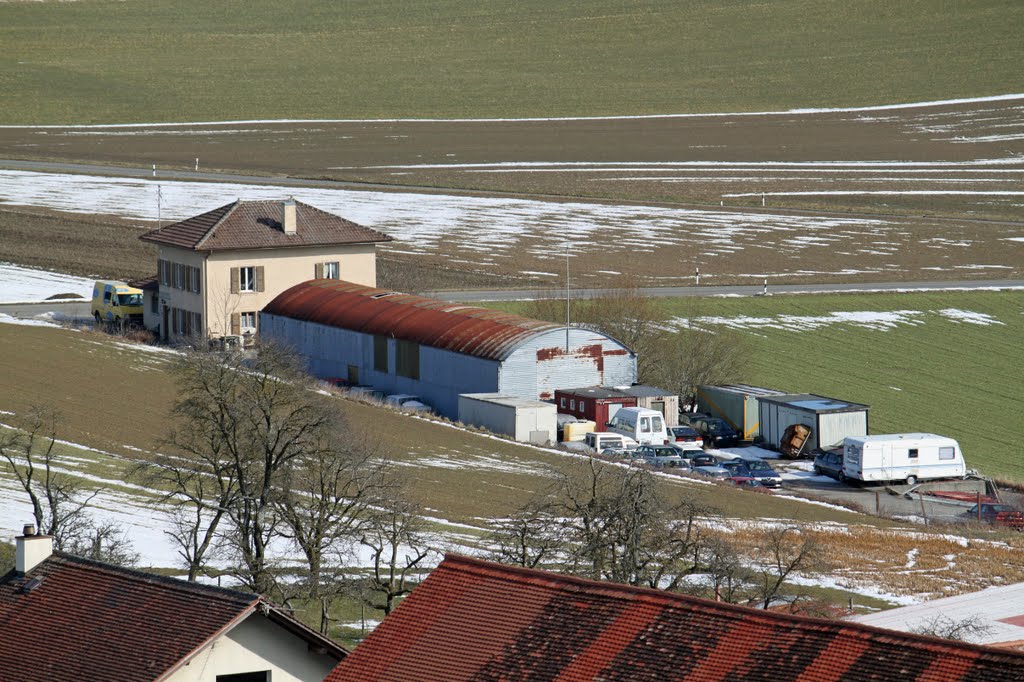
[219,270]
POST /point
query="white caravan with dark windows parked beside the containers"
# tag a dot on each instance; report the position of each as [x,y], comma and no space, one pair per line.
[903,457]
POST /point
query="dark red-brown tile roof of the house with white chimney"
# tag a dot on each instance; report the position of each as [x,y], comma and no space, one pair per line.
[91,621]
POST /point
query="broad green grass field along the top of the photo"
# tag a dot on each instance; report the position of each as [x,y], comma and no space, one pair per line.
[103,61]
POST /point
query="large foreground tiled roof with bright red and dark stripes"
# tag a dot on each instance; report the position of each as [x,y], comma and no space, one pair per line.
[475,620]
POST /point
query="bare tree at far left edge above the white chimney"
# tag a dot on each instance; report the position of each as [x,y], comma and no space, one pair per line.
[59,501]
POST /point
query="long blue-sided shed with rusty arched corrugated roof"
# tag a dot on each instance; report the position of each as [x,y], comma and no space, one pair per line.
[401,344]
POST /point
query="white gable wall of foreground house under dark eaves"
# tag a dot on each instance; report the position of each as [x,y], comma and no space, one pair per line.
[255,646]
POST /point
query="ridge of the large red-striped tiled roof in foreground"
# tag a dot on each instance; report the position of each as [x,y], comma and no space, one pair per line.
[642,594]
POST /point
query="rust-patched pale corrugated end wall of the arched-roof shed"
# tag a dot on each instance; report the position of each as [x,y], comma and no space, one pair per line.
[541,365]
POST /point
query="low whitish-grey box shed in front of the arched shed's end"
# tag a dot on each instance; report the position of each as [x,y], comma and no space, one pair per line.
[527,421]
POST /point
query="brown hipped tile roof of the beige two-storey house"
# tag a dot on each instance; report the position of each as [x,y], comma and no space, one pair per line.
[258,226]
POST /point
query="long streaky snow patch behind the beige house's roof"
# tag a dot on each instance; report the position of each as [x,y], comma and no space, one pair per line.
[491,228]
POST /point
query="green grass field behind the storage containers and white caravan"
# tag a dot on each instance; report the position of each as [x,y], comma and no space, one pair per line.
[938,375]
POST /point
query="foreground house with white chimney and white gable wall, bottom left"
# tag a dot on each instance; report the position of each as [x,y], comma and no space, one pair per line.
[65,618]
